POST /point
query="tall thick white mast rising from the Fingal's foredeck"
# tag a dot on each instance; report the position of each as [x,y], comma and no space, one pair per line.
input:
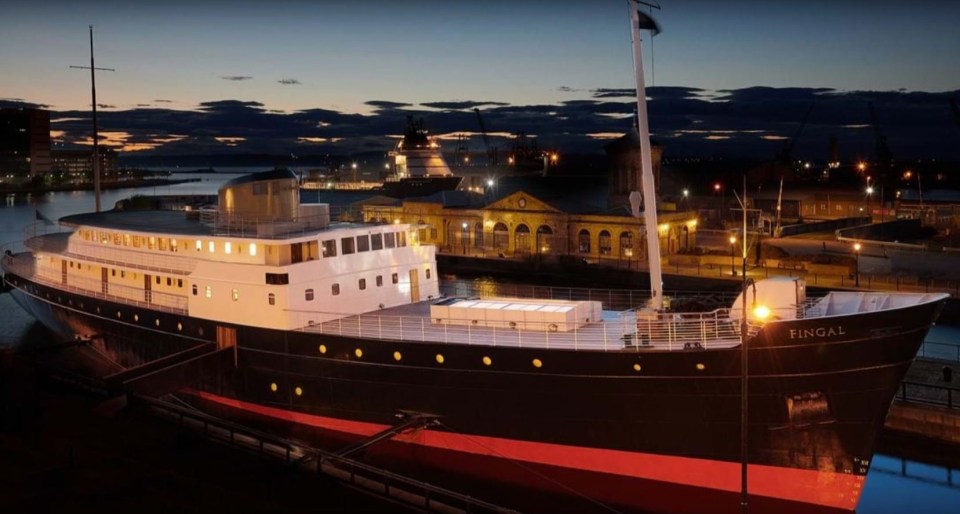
[639,20]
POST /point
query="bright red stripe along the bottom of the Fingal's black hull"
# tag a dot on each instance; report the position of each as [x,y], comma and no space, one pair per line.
[824,488]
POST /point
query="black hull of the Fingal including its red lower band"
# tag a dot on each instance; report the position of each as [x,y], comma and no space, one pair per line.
[817,404]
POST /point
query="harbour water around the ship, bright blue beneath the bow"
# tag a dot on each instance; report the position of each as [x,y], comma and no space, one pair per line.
[893,485]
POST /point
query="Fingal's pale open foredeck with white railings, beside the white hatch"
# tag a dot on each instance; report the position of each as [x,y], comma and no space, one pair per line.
[616,331]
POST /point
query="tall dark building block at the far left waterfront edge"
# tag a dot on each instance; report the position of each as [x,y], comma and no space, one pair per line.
[24,142]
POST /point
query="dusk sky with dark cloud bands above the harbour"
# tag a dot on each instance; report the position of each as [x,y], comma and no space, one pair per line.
[725,77]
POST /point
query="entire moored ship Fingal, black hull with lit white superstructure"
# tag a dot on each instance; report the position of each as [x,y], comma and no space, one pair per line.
[340,334]
